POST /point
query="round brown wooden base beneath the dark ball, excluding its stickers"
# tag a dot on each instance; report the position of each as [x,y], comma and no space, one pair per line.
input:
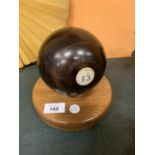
[93,106]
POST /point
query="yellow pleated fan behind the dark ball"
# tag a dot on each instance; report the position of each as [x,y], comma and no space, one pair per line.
[37,20]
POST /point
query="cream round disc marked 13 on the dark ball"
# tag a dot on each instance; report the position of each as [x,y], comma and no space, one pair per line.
[85,76]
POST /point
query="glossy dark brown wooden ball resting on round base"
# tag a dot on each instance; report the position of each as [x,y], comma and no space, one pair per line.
[71,61]
